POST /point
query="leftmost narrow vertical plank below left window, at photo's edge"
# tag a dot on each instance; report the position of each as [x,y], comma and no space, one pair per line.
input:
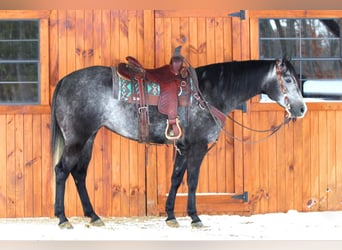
[3,167]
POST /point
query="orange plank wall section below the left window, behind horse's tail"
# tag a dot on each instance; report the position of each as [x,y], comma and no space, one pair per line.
[25,188]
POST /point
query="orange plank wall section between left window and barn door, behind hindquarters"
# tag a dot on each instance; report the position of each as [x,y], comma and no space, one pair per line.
[81,38]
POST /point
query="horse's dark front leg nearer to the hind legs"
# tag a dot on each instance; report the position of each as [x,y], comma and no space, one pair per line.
[176,179]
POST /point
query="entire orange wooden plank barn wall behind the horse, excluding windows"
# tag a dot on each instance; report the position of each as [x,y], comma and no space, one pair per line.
[298,168]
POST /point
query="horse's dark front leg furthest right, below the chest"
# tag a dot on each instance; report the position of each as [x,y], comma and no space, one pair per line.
[195,158]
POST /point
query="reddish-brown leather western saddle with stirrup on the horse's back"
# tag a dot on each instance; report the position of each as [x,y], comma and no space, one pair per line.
[173,79]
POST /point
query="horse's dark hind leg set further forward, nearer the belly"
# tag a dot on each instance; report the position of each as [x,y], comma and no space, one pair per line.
[79,174]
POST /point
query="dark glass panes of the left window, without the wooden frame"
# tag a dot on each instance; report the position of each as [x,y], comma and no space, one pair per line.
[19,62]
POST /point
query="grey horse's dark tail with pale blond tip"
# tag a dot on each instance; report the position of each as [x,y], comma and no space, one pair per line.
[57,140]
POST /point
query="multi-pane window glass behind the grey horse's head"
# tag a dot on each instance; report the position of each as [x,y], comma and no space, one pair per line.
[315,47]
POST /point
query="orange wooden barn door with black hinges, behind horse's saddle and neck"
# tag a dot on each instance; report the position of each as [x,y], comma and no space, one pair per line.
[206,37]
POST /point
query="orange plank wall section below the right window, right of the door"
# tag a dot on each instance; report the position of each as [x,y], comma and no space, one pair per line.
[300,167]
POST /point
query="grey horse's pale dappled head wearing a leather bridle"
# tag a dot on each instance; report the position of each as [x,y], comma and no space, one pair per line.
[287,91]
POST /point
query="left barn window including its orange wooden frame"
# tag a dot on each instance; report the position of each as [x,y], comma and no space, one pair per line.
[24,61]
